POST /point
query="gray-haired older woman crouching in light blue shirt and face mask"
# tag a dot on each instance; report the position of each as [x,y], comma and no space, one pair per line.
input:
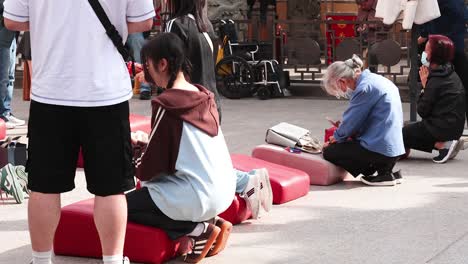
[369,138]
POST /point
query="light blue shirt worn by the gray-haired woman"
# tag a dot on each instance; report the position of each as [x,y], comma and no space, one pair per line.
[374,116]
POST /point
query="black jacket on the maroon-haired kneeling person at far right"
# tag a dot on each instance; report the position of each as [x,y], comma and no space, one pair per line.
[442,104]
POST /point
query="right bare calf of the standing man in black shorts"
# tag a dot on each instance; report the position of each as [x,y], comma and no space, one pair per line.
[110,217]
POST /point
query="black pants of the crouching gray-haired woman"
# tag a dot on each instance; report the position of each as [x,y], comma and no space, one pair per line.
[355,159]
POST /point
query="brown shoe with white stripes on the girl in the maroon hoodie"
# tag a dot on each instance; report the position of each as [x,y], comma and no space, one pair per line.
[202,243]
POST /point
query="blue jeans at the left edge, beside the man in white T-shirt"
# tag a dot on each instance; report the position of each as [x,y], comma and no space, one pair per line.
[7,70]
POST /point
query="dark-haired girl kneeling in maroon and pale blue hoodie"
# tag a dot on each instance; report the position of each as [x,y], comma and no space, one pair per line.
[186,170]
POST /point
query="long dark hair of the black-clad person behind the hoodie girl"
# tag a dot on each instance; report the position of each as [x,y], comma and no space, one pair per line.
[181,8]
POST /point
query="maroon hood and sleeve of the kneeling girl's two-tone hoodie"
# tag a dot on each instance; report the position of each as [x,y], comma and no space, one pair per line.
[170,110]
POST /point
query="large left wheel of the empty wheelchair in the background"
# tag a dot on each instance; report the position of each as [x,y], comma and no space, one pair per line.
[234,77]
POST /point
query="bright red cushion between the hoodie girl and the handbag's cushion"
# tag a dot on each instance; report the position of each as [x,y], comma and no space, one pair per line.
[287,184]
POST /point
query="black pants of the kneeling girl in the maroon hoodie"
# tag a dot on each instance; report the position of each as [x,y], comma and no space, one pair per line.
[142,210]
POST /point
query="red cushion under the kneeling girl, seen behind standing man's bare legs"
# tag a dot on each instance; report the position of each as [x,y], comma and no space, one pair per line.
[76,235]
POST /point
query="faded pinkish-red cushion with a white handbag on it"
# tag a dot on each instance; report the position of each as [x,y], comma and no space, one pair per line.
[320,171]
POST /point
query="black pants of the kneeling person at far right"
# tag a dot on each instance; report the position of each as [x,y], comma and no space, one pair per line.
[416,136]
